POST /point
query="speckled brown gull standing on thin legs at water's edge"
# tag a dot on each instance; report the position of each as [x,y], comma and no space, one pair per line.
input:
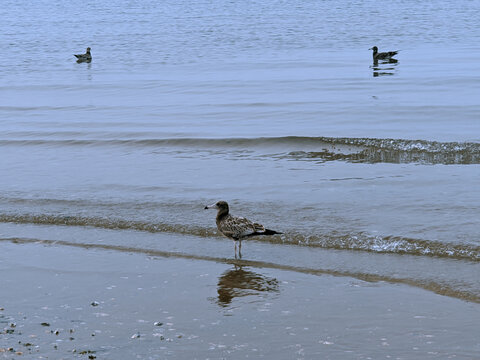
[237,228]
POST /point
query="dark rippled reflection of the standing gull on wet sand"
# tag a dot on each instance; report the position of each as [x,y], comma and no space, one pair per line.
[238,282]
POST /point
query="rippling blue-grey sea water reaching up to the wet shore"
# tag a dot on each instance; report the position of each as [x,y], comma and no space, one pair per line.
[371,171]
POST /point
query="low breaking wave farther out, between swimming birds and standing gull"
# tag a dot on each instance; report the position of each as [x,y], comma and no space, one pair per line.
[362,150]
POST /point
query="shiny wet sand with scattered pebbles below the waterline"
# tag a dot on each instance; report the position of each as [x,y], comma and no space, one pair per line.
[62,302]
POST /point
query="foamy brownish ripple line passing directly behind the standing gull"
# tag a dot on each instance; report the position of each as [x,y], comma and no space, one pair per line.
[351,242]
